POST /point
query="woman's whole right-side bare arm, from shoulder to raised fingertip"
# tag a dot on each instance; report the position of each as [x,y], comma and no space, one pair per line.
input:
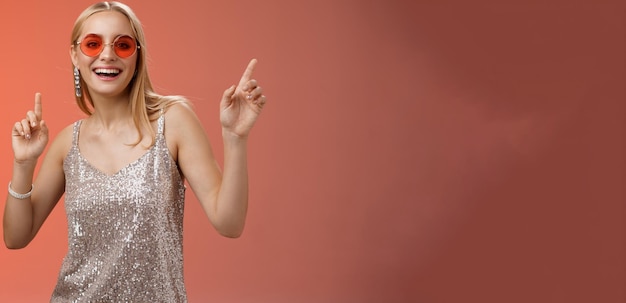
[224,196]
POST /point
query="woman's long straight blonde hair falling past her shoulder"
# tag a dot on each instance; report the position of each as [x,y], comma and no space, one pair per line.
[145,102]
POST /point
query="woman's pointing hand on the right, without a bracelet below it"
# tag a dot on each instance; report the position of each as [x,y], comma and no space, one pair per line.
[242,104]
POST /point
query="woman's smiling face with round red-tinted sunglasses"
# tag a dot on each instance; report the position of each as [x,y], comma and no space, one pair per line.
[106,56]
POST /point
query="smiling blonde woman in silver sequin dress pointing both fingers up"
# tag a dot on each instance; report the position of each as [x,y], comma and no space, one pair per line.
[123,167]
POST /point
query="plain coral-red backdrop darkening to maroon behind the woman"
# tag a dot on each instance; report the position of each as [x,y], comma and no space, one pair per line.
[464,151]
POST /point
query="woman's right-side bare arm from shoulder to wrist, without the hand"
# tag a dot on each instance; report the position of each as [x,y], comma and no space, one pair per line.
[224,197]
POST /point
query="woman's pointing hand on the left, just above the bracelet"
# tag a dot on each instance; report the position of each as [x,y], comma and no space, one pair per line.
[30,135]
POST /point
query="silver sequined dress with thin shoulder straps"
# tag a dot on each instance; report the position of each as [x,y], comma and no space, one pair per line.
[125,231]
